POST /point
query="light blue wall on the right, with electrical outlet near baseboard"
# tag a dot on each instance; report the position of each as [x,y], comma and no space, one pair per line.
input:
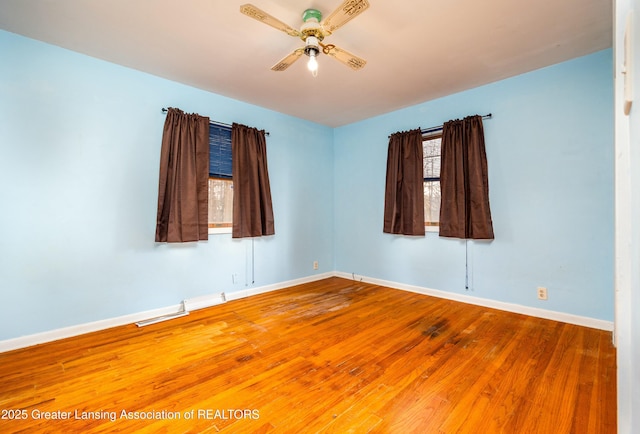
[550,158]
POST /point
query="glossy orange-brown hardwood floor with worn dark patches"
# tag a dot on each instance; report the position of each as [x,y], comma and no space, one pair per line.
[333,356]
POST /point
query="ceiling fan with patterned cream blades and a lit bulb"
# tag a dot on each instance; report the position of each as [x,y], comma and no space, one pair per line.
[312,32]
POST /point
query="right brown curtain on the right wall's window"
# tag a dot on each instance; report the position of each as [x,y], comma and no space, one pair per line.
[464,183]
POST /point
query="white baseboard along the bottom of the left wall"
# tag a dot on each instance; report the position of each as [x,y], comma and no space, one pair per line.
[189,305]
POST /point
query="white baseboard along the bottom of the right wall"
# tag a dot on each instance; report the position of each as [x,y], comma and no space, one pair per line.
[509,307]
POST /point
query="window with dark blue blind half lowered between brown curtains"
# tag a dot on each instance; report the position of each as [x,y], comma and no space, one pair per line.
[220,180]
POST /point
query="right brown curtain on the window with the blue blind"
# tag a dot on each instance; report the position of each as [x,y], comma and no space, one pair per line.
[252,210]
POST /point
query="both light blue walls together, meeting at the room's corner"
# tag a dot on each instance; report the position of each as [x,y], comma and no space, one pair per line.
[80,143]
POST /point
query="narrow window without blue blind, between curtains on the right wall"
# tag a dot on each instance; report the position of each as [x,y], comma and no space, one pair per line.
[431,173]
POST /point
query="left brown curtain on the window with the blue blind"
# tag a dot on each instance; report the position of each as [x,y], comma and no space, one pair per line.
[184,171]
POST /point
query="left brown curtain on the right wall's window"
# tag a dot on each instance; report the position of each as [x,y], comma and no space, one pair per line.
[404,191]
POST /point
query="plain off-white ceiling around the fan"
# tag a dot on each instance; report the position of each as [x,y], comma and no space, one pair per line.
[416,50]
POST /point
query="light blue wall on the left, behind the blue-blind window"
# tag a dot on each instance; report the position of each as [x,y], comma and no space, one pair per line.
[79,157]
